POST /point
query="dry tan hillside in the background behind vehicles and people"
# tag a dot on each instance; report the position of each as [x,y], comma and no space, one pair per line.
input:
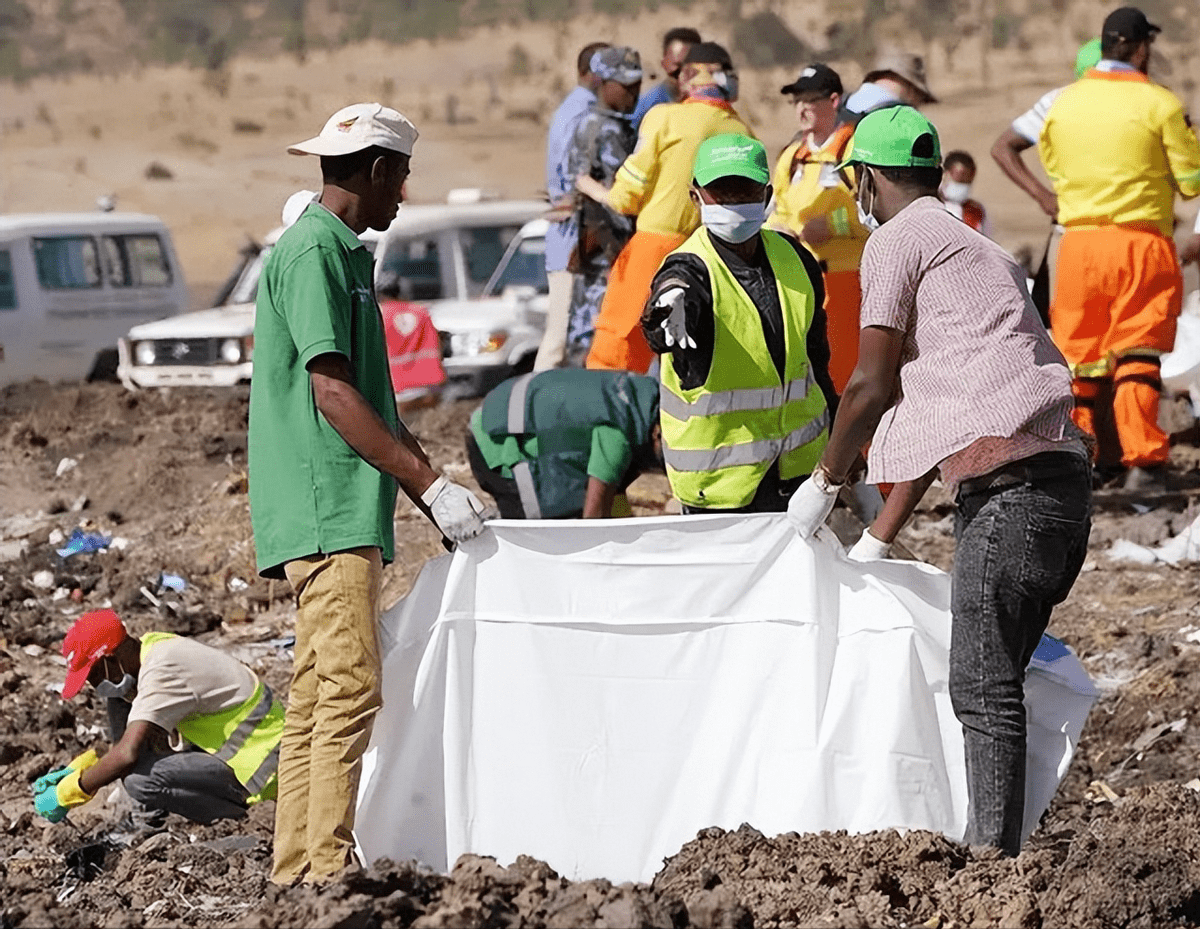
[482,103]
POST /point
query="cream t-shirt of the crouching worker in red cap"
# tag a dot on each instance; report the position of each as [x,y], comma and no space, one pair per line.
[182,676]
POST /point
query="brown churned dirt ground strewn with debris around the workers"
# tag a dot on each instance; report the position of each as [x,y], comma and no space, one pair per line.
[166,474]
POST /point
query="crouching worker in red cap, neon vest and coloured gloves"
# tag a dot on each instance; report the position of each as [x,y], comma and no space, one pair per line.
[196,733]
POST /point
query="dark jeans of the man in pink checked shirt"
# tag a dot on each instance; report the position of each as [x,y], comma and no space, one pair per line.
[1021,548]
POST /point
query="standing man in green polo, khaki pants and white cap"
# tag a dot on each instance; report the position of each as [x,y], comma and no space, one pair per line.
[327,452]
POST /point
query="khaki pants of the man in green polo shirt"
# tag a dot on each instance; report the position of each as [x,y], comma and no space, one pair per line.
[332,706]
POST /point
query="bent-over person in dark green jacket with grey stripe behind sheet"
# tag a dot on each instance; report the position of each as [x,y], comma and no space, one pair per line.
[566,443]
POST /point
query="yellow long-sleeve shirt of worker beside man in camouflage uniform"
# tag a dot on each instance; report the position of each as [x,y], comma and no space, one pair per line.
[655,181]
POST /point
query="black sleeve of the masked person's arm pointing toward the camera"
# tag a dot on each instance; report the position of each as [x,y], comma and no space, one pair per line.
[689,273]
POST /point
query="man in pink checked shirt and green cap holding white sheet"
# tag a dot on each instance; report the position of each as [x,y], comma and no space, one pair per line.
[958,379]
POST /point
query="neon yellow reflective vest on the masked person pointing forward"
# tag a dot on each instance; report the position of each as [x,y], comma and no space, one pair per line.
[721,439]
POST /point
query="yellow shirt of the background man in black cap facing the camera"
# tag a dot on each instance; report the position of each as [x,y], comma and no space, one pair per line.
[808,187]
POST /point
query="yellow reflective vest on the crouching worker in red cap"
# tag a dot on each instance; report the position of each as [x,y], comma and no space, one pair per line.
[245,738]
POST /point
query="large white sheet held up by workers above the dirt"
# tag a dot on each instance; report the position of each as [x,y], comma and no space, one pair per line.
[596,693]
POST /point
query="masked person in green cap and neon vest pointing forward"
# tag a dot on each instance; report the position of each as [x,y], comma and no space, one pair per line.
[737,315]
